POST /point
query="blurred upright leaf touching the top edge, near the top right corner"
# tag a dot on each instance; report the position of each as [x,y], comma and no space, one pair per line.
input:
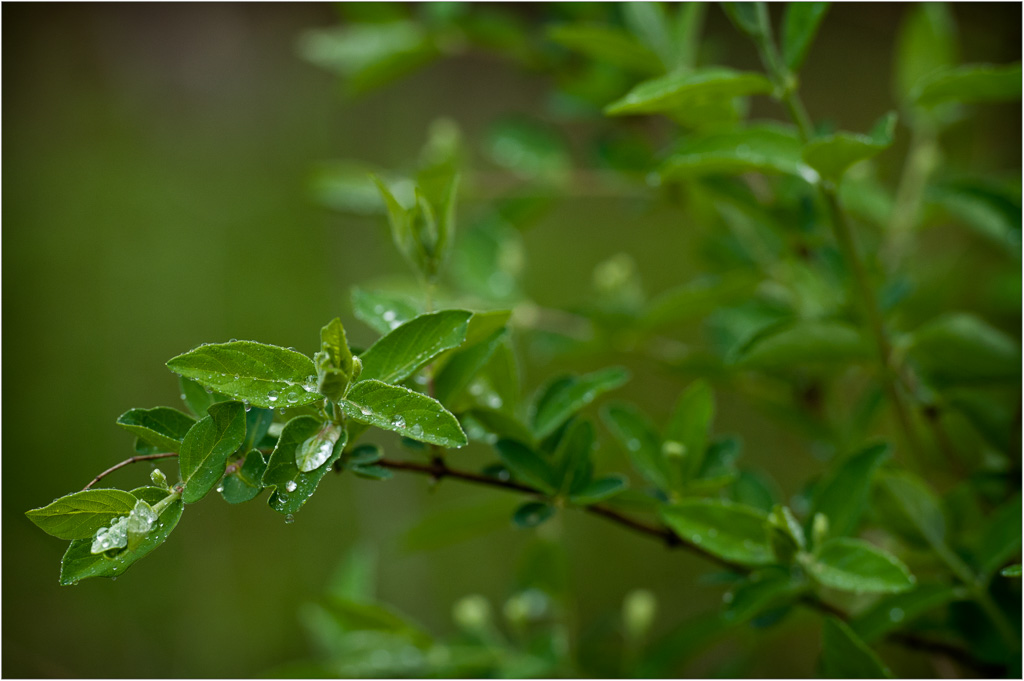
[927,41]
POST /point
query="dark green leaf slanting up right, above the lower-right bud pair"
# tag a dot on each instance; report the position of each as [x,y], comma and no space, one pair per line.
[844,496]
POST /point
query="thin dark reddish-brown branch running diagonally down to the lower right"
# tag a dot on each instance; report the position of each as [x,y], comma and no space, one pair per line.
[438,471]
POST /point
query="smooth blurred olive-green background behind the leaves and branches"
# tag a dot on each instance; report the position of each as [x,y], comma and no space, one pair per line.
[157,196]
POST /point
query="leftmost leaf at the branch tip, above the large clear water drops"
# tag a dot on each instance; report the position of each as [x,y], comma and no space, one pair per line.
[79,516]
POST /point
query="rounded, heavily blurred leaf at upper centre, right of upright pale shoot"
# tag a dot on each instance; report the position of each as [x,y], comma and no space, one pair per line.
[529,149]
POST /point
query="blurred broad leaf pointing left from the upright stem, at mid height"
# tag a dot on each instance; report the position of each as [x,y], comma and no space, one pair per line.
[805,343]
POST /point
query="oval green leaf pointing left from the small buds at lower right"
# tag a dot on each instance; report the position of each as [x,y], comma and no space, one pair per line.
[730,531]
